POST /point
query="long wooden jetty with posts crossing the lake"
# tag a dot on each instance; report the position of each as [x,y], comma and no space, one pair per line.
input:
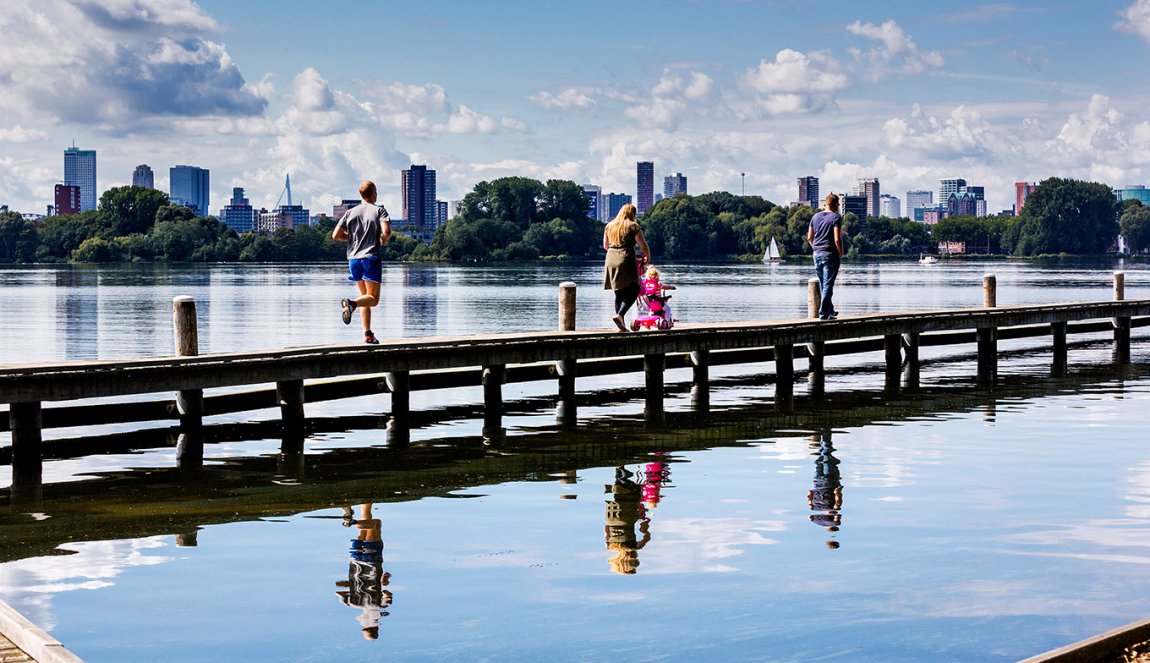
[489,361]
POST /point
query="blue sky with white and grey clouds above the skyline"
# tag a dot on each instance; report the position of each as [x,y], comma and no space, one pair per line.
[339,91]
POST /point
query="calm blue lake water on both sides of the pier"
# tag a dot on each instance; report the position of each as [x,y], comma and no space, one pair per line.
[960,523]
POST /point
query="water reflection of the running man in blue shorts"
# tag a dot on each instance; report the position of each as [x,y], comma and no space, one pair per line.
[366,579]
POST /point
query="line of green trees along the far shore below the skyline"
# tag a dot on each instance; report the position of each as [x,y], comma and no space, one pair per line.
[519,219]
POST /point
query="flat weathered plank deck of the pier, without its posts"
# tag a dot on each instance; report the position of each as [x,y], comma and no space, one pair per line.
[73,381]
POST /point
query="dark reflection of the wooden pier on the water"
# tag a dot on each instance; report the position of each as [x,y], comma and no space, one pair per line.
[173,502]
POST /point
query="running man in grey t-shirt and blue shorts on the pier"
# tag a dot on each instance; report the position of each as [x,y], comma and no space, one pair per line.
[366,228]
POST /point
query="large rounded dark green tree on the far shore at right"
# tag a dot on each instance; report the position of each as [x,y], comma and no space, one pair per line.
[1067,217]
